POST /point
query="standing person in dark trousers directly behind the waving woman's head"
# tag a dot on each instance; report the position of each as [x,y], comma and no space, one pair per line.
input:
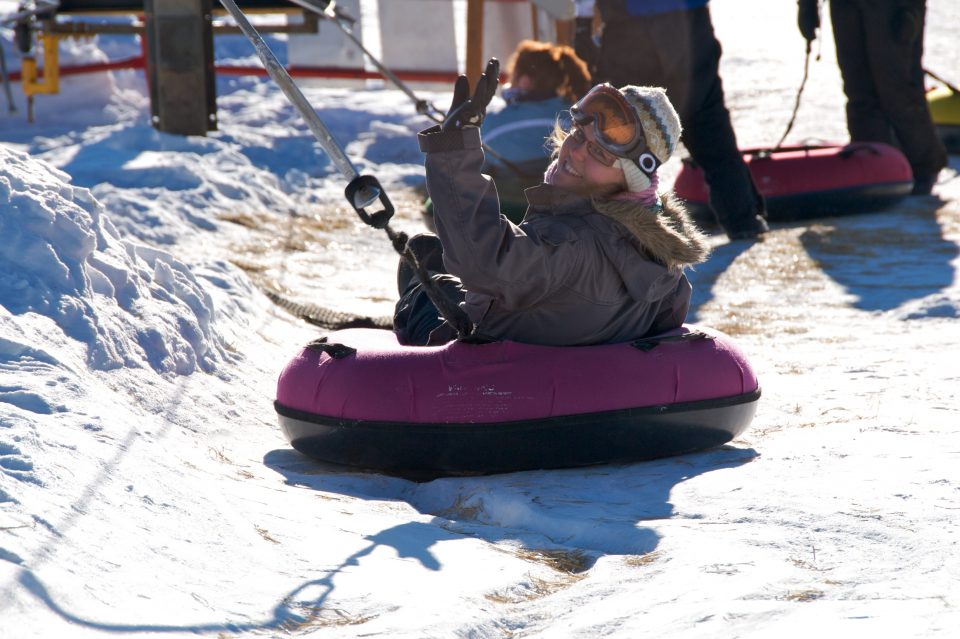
[671,43]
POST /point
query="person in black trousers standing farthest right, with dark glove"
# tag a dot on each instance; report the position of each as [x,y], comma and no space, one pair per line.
[879,49]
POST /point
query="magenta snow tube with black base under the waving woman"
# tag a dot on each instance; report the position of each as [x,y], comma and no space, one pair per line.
[361,399]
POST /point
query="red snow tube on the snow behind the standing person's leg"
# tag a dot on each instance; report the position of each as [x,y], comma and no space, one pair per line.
[803,182]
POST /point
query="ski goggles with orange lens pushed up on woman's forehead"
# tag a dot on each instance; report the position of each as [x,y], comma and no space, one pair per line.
[616,125]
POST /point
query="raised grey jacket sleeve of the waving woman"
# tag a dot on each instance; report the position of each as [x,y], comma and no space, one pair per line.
[486,251]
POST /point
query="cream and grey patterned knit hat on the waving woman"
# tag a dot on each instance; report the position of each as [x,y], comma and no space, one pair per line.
[661,127]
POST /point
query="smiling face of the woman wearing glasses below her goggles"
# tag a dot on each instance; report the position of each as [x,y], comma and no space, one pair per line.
[585,168]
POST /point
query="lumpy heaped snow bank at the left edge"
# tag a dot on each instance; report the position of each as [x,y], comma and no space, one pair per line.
[129,305]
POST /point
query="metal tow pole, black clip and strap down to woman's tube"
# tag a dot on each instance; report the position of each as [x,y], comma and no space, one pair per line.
[362,191]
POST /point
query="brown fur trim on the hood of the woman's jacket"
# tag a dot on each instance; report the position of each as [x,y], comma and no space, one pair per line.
[667,234]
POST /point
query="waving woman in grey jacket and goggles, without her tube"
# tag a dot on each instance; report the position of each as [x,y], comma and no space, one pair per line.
[600,255]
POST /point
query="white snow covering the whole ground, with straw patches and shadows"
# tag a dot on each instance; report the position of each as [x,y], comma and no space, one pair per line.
[146,489]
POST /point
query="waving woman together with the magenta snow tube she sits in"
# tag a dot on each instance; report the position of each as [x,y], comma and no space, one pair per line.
[598,260]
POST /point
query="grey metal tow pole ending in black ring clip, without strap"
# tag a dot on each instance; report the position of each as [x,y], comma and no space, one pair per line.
[362,190]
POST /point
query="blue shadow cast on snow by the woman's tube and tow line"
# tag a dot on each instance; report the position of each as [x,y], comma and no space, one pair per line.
[594,511]
